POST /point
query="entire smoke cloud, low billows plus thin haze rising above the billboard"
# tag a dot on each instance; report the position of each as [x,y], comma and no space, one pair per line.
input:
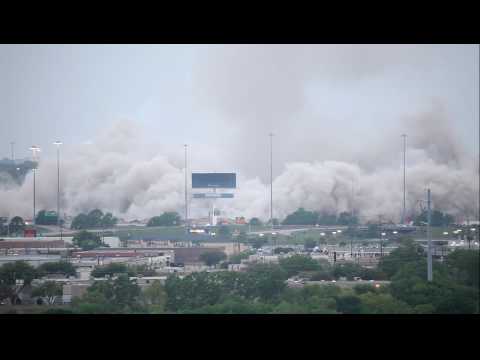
[335,149]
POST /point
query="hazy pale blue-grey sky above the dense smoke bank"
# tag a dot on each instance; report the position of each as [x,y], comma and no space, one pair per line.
[221,96]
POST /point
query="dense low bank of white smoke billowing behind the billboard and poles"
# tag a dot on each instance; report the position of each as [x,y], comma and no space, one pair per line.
[112,175]
